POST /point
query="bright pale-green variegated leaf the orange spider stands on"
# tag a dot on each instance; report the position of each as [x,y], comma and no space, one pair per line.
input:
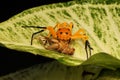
[100,21]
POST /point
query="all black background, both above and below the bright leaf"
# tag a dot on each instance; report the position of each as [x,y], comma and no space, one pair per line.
[11,60]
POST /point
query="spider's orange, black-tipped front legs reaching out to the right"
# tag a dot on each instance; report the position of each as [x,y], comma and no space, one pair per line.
[80,34]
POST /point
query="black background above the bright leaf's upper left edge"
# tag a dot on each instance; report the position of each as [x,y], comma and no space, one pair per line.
[9,8]
